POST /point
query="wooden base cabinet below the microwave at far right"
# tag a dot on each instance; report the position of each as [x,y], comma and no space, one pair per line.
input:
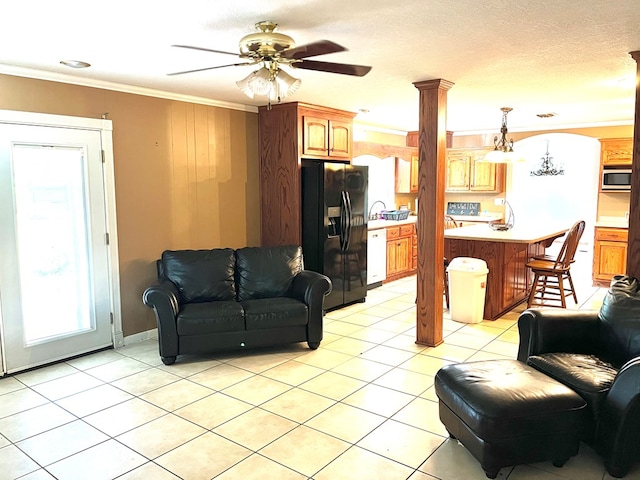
[609,254]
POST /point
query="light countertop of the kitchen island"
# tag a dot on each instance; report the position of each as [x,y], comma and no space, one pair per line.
[518,234]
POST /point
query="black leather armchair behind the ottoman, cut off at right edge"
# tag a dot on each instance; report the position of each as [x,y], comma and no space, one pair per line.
[597,354]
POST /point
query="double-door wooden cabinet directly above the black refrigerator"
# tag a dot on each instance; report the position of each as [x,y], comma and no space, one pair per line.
[327,134]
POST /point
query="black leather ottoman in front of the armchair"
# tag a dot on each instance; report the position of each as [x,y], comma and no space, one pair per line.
[507,413]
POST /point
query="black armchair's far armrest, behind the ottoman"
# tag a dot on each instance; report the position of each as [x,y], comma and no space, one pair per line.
[545,330]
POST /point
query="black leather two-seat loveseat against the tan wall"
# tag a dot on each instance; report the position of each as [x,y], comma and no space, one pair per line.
[222,299]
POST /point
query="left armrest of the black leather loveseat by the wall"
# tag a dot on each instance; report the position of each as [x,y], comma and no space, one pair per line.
[163,297]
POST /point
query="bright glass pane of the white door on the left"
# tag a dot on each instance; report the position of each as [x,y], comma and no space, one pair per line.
[52,239]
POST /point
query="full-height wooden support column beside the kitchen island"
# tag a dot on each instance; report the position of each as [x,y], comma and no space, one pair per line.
[432,138]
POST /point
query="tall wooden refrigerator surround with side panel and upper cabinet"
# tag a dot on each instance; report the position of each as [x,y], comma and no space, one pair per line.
[282,133]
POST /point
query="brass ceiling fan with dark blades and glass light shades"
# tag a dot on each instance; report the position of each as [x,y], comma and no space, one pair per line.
[272,50]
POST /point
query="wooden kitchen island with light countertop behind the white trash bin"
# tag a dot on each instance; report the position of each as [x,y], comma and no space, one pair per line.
[506,253]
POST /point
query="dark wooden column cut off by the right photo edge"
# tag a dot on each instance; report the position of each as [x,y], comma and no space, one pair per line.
[633,250]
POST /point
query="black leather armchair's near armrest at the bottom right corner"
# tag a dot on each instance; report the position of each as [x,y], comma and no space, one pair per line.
[618,430]
